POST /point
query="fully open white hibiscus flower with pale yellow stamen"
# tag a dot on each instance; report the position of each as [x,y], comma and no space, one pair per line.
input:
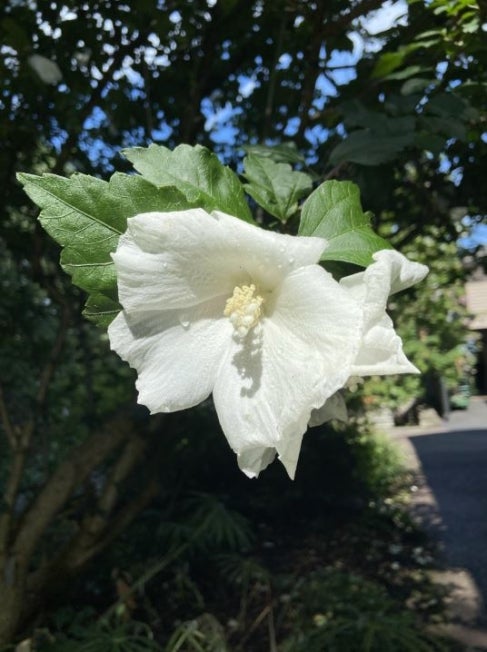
[212,304]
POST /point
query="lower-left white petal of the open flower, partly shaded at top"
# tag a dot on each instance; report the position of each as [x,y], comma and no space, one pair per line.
[176,354]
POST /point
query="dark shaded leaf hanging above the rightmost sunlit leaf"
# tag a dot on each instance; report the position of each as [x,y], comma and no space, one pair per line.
[370,148]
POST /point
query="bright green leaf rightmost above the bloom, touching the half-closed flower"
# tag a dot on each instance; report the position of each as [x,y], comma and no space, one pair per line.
[333,211]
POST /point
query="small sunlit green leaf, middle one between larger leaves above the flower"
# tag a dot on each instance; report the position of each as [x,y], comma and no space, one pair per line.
[275,186]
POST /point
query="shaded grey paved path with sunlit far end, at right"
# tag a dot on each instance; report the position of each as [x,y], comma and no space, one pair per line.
[453,461]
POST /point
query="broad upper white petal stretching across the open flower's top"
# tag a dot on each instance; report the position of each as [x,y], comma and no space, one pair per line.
[179,259]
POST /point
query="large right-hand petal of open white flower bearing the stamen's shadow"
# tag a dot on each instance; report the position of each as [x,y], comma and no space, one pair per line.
[270,382]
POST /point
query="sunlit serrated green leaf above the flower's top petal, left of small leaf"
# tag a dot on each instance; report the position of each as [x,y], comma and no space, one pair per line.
[195,172]
